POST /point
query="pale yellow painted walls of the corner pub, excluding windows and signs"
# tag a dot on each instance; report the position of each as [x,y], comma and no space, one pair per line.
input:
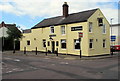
[43,33]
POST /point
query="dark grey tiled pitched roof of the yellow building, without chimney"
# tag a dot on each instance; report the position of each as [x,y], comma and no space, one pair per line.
[72,18]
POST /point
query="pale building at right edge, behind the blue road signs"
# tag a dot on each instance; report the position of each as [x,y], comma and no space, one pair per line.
[115,28]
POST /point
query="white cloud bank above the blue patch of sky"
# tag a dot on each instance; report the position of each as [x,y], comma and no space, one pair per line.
[50,8]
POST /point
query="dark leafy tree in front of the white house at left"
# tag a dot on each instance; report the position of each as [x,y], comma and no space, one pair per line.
[10,42]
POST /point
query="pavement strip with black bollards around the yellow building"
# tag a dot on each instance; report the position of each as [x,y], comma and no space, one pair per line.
[61,56]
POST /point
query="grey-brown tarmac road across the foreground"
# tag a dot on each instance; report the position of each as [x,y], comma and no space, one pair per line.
[33,67]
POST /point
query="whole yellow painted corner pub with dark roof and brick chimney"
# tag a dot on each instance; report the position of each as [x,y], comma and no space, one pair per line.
[62,33]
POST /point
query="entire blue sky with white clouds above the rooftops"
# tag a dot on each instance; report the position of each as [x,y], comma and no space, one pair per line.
[28,13]
